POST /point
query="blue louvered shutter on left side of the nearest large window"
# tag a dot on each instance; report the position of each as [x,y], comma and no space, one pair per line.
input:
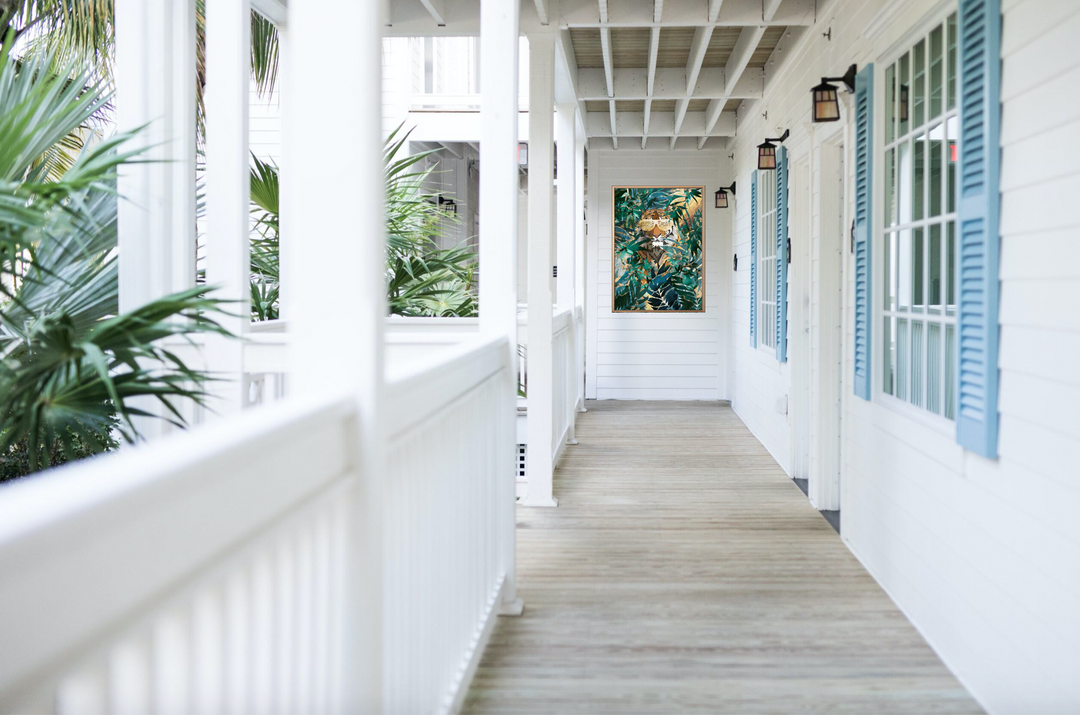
[865,194]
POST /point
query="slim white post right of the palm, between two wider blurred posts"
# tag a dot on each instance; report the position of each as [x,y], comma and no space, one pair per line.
[228,191]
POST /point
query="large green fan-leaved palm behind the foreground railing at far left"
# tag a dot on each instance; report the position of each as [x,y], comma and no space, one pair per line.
[72,369]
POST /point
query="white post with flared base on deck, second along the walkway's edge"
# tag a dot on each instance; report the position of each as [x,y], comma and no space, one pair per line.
[542,177]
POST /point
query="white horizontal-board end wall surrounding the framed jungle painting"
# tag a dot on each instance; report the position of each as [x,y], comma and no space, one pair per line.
[656,357]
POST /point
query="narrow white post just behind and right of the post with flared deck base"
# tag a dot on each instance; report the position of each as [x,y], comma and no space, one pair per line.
[566,217]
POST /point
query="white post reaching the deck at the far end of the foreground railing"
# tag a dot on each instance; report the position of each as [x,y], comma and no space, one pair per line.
[498,254]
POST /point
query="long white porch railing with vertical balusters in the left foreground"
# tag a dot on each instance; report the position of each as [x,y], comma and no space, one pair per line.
[210,572]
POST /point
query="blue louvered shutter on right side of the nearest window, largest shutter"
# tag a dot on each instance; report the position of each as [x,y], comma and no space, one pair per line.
[980,70]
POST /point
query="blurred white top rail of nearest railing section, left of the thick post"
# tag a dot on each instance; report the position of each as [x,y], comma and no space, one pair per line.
[85,546]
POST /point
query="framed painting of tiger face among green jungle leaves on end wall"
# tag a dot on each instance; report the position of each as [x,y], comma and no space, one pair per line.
[659,251]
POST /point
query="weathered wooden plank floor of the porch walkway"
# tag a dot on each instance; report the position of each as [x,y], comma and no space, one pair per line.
[684,572]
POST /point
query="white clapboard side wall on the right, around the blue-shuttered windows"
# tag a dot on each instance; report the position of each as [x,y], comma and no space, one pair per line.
[982,556]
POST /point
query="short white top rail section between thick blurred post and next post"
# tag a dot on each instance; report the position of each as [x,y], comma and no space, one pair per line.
[417,395]
